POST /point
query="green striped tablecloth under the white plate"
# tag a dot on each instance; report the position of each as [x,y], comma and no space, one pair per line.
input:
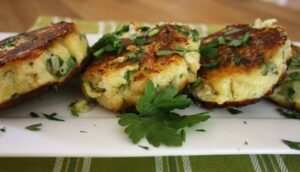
[230,163]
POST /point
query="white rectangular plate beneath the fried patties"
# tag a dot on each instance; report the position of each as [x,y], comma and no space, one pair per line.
[258,130]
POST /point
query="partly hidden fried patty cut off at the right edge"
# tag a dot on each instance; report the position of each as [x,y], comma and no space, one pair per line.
[287,94]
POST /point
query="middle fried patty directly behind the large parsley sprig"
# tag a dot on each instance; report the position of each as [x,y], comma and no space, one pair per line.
[116,80]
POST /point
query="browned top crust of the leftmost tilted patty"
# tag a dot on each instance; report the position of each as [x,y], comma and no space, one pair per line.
[32,44]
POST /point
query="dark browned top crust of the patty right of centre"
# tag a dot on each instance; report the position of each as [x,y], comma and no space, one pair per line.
[259,49]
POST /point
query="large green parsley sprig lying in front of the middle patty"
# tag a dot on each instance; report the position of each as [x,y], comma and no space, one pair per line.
[155,120]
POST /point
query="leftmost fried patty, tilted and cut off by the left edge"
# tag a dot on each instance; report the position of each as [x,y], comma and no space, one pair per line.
[33,62]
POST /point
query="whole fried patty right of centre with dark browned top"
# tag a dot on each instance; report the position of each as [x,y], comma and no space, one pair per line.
[241,63]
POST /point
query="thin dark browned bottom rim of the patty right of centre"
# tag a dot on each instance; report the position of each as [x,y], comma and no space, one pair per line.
[210,105]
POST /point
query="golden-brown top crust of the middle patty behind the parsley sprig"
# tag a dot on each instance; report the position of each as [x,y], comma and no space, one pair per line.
[149,63]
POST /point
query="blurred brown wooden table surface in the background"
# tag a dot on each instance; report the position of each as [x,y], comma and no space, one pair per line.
[18,15]
